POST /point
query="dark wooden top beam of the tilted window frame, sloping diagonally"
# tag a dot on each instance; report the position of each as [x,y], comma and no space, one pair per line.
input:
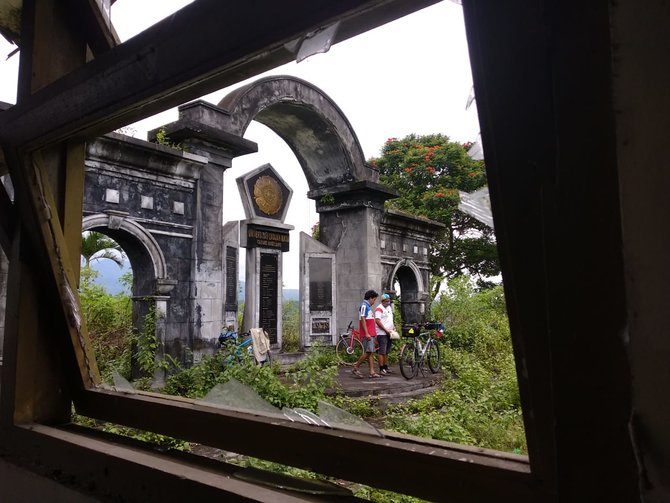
[172,62]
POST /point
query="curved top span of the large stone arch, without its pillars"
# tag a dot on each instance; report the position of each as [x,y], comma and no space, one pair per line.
[313,126]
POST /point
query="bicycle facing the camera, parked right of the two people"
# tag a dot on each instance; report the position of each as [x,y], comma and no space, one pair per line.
[414,354]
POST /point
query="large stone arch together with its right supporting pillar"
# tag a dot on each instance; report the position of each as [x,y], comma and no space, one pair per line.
[349,199]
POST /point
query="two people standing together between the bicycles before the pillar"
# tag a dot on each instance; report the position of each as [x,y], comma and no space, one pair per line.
[374,323]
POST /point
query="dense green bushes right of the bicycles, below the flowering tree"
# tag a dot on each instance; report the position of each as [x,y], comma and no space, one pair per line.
[478,403]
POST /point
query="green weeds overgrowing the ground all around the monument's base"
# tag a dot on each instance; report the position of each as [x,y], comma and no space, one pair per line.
[477,404]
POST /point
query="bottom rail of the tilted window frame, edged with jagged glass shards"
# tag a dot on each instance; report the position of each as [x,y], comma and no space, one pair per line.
[470,474]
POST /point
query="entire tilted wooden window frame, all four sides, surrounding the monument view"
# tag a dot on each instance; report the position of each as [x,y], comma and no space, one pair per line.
[171,63]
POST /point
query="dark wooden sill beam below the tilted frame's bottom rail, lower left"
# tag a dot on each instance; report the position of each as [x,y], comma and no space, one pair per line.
[112,468]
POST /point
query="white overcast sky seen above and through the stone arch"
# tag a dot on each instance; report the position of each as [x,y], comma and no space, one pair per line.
[409,76]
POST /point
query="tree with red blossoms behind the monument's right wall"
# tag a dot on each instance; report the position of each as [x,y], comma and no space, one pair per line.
[428,171]
